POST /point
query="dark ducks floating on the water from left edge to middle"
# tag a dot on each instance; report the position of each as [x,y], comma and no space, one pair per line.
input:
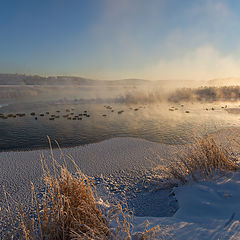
[69,114]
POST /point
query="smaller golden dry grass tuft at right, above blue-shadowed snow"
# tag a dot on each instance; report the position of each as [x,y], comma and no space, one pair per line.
[203,159]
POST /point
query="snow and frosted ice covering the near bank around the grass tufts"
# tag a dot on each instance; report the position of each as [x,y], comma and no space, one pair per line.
[207,209]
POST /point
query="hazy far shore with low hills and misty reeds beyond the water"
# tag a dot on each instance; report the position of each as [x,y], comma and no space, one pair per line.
[25,88]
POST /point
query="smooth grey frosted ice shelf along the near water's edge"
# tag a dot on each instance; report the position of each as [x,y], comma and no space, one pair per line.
[107,157]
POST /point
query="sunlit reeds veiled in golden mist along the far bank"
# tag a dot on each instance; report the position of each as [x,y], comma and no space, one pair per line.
[178,95]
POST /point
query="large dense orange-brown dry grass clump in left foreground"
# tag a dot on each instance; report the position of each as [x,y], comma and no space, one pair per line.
[66,210]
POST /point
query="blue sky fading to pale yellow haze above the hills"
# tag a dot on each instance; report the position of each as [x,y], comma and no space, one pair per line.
[116,39]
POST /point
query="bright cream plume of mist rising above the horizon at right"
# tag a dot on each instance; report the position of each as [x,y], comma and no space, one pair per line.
[202,63]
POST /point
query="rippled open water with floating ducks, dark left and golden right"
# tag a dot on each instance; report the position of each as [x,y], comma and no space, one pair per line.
[71,126]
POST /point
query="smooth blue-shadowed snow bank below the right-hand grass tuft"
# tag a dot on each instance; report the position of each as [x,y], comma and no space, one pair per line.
[208,210]
